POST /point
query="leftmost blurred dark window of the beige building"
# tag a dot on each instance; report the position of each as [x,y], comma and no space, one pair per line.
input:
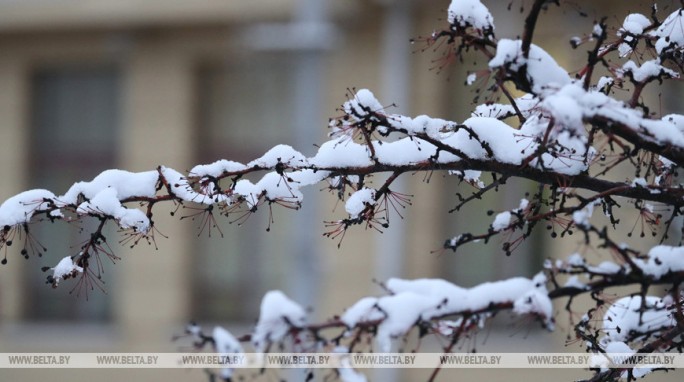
[75,116]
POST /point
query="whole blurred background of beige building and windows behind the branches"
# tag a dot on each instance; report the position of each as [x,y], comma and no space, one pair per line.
[91,85]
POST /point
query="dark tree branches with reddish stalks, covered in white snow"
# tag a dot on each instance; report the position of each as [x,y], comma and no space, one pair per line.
[584,146]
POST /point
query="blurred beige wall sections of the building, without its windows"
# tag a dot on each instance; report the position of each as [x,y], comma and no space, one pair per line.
[160,51]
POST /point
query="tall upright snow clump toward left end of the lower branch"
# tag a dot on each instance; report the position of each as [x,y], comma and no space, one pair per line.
[277,315]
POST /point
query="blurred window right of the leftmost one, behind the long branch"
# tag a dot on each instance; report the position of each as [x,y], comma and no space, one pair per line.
[244,109]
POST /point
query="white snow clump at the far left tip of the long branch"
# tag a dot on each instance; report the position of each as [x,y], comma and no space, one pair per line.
[21,207]
